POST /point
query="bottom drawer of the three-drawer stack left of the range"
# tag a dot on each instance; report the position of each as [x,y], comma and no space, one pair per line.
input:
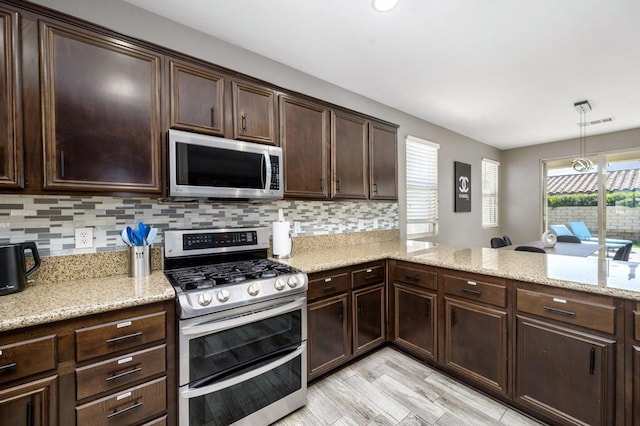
[126,407]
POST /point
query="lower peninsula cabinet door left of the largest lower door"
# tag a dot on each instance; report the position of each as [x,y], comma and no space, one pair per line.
[476,343]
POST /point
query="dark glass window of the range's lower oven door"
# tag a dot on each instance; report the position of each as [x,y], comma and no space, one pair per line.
[231,404]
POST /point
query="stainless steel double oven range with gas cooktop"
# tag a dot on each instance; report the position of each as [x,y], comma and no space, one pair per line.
[242,328]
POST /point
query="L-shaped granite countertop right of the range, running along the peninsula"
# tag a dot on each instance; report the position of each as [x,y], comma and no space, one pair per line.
[589,274]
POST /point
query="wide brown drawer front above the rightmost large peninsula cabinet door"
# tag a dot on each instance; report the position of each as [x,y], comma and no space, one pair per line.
[584,314]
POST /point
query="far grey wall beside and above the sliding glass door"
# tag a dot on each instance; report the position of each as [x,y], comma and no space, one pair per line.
[521,209]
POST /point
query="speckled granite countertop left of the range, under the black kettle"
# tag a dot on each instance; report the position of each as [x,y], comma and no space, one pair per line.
[51,301]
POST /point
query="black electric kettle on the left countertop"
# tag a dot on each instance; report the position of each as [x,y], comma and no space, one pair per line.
[13,267]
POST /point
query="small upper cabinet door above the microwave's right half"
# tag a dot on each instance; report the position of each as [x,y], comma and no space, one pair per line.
[254,113]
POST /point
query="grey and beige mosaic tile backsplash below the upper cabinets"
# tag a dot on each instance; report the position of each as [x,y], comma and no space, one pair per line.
[51,220]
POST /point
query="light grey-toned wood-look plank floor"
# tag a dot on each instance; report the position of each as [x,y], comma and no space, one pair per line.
[390,388]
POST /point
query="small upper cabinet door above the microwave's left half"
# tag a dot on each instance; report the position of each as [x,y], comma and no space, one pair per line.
[197,99]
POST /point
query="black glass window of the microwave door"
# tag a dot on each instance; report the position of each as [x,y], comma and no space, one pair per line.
[198,165]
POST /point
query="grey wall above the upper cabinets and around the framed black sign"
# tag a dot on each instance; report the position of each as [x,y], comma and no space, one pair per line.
[460,228]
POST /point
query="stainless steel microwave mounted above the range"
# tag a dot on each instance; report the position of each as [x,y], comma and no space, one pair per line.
[202,166]
